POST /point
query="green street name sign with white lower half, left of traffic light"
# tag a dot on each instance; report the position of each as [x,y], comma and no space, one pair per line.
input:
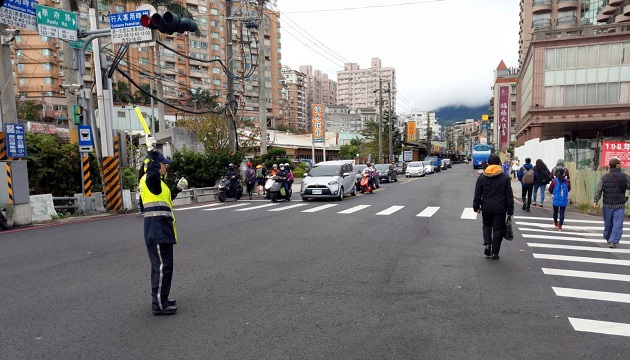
[56,23]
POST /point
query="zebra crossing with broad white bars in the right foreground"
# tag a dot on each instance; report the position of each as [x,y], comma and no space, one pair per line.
[581,242]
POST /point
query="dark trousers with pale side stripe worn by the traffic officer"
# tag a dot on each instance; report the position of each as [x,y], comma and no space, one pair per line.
[161,256]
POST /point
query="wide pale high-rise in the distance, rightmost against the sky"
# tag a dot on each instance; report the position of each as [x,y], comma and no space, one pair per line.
[359,88]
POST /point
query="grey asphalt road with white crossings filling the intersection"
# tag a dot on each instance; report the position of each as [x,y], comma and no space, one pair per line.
[398,274]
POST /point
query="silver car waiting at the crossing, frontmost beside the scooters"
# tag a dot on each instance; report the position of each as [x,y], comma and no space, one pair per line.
[329,179]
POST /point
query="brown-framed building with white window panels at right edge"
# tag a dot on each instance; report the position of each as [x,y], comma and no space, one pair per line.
[575,76]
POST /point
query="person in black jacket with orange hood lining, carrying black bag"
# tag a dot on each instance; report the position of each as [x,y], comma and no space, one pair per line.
[493,199]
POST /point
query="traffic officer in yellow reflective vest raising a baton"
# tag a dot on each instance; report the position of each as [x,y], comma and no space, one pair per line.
[160,233]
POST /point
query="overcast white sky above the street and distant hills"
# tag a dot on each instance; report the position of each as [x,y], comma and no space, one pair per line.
[444,51]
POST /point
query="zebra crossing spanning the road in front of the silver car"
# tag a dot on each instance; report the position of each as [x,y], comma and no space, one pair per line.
[339,208]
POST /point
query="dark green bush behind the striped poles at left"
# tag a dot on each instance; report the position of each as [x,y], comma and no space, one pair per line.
[55,167]
